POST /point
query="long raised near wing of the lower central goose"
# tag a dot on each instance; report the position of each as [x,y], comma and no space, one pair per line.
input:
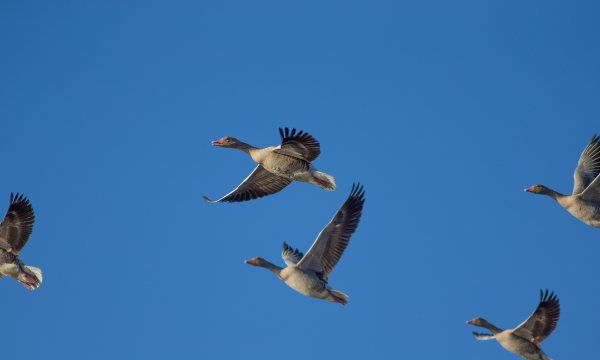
[329,246]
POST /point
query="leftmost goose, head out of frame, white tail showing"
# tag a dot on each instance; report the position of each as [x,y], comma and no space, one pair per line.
[14,233]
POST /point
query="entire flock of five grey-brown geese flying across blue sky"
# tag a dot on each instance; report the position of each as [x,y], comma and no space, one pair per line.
[308,274]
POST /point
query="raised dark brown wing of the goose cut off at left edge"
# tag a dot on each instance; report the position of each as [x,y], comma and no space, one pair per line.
[17,224]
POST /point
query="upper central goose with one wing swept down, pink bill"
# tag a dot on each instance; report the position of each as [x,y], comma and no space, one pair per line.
[277,166]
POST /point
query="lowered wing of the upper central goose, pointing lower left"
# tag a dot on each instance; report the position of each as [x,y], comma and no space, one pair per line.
[259,183]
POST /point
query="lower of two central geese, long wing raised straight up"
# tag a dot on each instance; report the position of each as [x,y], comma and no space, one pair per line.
[308,274]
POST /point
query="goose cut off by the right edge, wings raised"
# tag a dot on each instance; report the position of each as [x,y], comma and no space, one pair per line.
[584,203]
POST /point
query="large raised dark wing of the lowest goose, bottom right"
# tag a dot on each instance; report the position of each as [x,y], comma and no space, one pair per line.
[543,320]
